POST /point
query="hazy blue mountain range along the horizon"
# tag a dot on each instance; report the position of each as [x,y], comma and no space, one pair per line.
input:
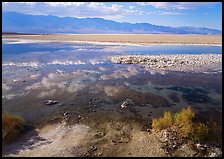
[24,23]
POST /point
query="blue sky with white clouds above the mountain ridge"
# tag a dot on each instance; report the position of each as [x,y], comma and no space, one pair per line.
[196,14]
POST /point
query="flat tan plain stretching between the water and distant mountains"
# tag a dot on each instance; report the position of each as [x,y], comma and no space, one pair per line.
[126,38]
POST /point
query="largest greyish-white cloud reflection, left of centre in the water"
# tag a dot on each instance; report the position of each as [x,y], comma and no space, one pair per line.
[66,82]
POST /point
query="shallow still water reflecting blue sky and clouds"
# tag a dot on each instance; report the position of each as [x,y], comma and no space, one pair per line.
[79,75]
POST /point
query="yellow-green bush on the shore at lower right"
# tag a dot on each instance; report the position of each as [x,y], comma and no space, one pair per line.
[183,123]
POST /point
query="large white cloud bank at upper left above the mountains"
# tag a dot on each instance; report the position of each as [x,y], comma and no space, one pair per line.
[68,9]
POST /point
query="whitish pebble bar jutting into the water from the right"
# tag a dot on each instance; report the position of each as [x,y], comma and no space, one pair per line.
[179,62]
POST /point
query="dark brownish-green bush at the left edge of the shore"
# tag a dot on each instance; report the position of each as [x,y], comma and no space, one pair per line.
[12,125]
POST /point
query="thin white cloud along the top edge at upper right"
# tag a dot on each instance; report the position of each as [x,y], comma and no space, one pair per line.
[177,5]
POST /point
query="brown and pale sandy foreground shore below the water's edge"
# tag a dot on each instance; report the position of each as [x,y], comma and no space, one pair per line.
[99,136]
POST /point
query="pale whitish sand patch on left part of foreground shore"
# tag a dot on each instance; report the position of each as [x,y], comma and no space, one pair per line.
[52,140]
